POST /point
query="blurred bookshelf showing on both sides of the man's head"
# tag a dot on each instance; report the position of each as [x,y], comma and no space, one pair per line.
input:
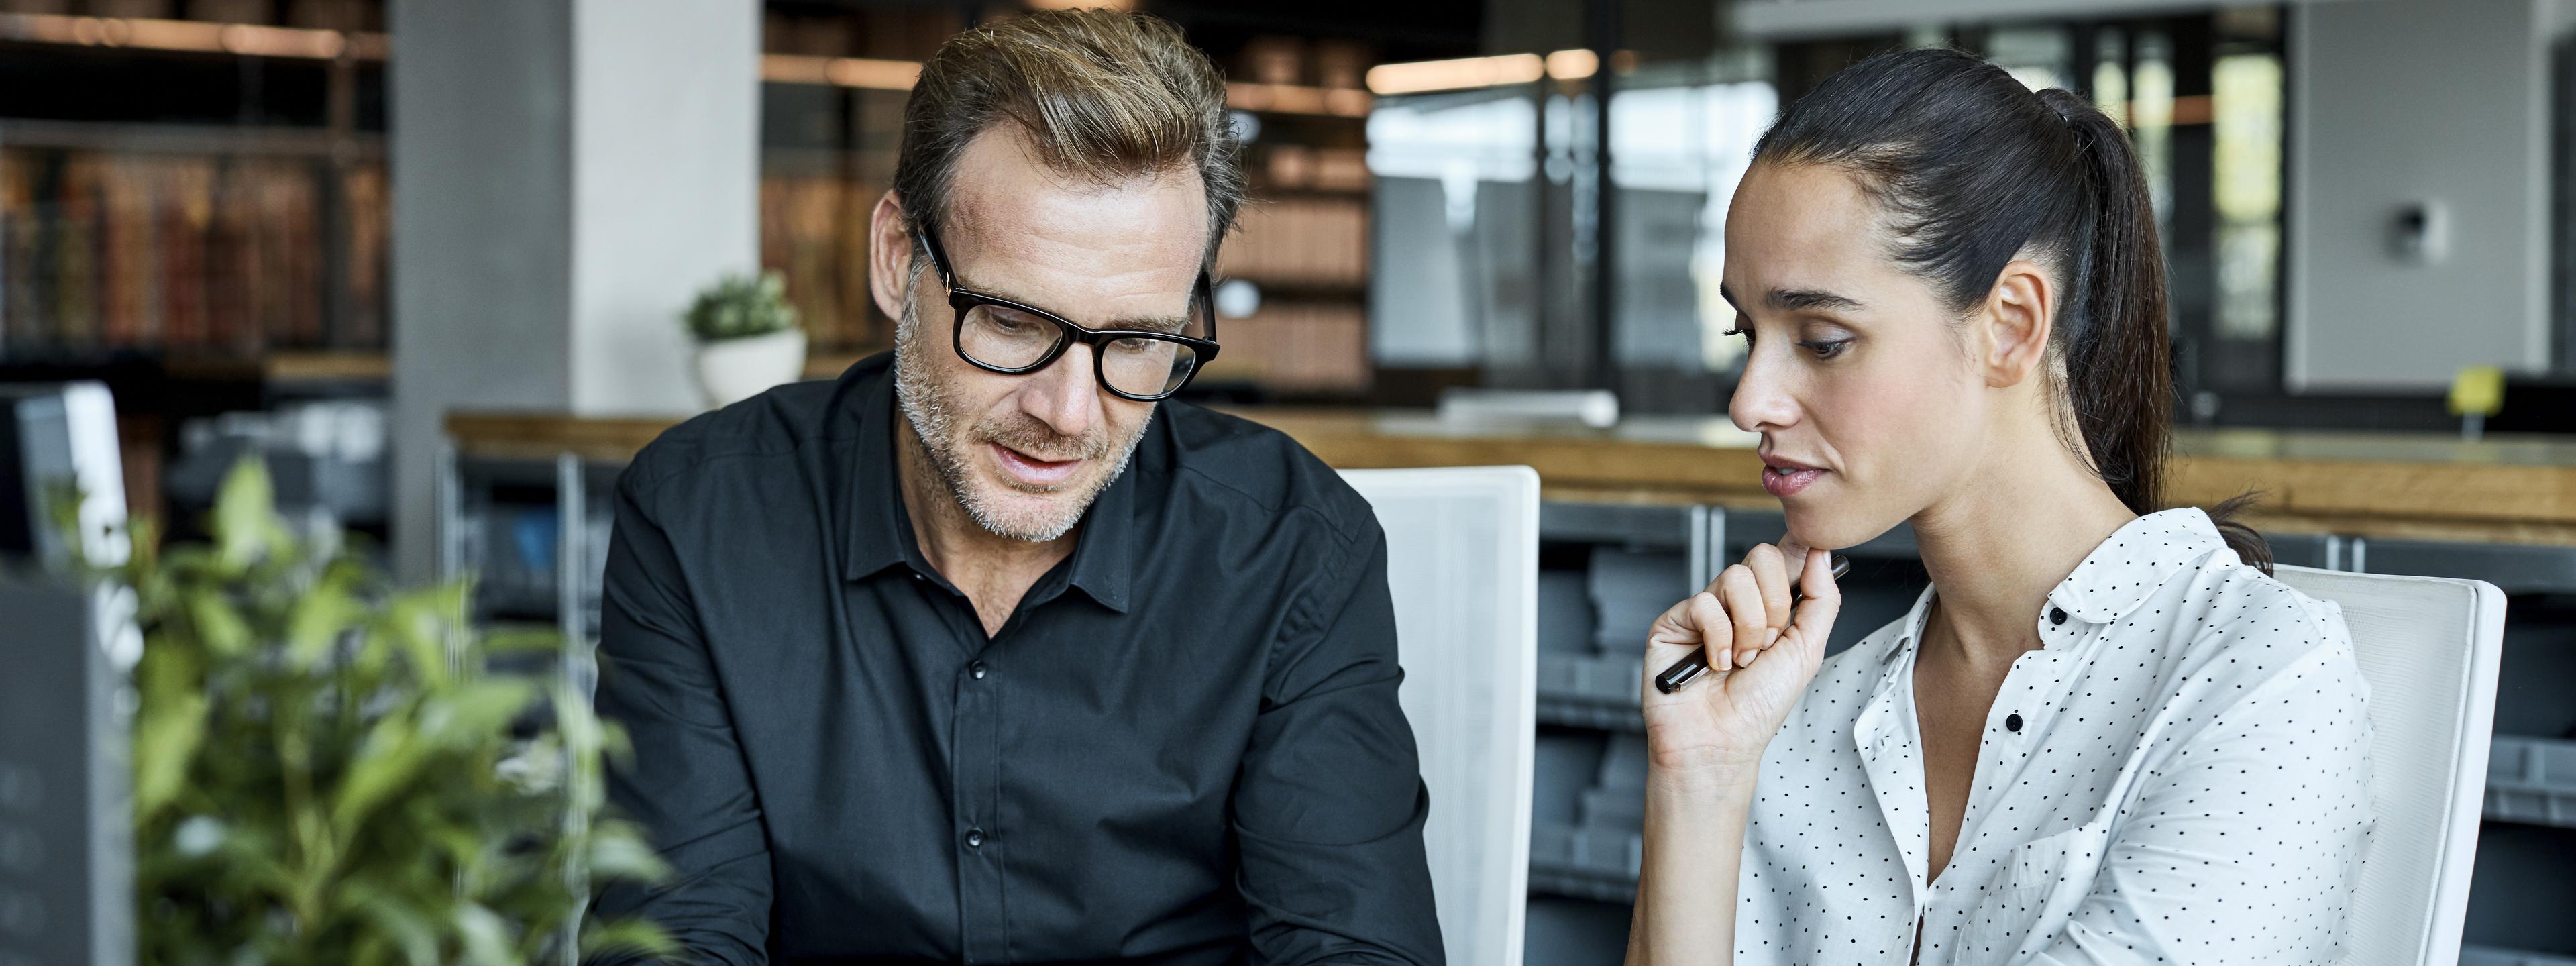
[831,120]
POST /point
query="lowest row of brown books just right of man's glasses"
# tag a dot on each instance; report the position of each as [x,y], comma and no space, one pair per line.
[1297,346]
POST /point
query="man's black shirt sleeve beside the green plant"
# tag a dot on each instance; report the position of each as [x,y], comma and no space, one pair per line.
[687,782]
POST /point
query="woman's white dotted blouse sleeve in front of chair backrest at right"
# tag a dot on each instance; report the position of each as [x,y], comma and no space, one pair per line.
[2250,838]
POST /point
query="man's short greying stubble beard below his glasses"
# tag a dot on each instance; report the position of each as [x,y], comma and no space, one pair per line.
[936,431]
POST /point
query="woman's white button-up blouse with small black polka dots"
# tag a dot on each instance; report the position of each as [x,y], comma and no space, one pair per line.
[2178,777]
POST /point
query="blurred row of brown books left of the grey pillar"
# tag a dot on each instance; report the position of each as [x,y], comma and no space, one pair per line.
[187,254]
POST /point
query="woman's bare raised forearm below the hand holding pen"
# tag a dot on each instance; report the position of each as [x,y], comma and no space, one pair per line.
[1686,893]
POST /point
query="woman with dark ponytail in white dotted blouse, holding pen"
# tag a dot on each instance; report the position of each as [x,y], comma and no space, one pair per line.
[2103,735]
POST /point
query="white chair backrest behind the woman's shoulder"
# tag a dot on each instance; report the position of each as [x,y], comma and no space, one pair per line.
[2428,648]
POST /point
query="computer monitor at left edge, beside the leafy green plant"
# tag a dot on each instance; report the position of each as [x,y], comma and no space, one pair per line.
[66,650]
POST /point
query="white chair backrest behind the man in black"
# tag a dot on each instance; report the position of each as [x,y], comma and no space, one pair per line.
[1462,563]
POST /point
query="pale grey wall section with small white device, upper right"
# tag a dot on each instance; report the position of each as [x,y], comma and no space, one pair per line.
[2397,102]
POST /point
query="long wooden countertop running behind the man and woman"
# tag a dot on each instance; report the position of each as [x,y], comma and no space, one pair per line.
[2392,486]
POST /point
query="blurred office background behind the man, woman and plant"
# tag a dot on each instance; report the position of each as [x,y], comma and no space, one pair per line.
[431,261]
